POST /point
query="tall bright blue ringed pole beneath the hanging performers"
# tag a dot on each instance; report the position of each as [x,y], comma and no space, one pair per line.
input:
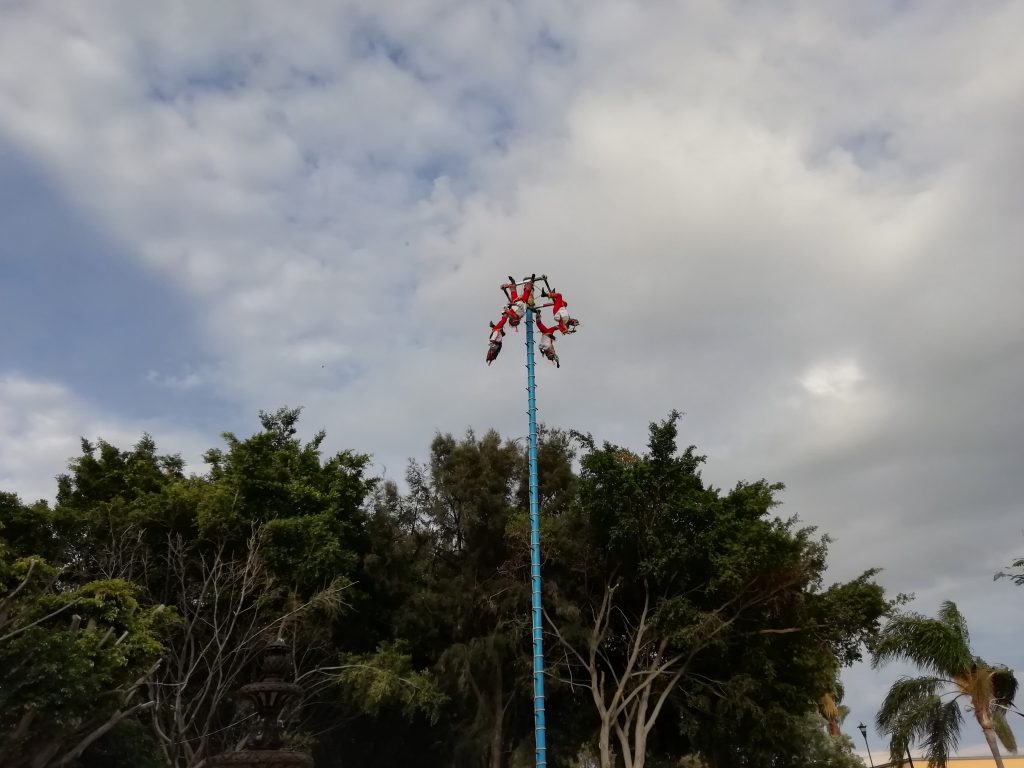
[535,556]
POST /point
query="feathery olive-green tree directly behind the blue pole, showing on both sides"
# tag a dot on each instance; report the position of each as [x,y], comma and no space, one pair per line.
[464,534]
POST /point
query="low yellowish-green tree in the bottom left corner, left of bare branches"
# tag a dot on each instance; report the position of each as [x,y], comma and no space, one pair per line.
[74,660]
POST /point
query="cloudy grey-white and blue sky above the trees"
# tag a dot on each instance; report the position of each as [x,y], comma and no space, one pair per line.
[800,224]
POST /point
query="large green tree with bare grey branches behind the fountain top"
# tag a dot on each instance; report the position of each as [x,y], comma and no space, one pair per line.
[268,542]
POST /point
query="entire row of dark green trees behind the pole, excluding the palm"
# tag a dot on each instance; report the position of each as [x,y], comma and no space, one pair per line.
[408,612]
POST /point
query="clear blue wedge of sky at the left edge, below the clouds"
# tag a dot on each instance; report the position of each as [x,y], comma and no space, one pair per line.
[76,310]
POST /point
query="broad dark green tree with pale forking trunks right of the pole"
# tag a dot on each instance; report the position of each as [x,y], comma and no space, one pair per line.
[667,595]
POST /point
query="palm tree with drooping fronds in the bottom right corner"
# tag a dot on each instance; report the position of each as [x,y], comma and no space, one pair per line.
[927,710]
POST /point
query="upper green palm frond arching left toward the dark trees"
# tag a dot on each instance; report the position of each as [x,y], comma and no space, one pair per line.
[930,644]
